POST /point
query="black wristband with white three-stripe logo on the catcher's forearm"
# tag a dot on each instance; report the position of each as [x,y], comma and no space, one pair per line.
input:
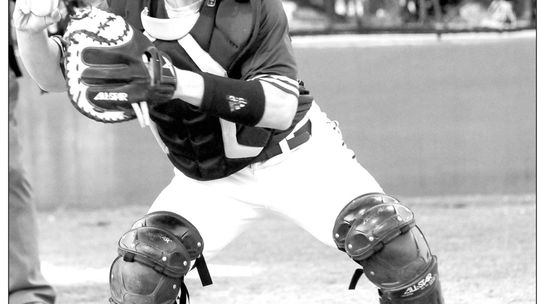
[234,100]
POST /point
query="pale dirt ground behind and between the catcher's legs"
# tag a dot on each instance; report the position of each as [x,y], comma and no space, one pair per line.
[485,244]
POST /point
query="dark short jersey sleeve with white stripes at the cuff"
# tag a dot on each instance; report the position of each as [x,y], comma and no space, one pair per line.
[273,61]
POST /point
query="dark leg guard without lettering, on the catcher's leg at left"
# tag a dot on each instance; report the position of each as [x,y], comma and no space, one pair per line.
[154,256]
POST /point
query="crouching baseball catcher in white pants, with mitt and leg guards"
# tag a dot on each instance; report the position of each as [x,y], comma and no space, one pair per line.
[217,83]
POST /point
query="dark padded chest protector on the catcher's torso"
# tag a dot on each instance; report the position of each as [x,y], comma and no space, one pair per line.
[228,31]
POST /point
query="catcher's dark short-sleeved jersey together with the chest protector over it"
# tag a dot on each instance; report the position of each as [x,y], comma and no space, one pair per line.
[252,46]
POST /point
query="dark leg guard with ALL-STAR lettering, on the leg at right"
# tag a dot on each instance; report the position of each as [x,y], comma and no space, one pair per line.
[380,234]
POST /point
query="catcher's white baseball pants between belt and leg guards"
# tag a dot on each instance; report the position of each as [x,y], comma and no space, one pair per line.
[309,185]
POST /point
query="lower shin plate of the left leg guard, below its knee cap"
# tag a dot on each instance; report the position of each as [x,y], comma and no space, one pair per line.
[136,283]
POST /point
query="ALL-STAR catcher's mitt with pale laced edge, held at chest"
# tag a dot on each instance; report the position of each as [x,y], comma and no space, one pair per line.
[112,68]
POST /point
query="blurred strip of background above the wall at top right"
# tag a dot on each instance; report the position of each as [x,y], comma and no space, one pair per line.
[367,16]
